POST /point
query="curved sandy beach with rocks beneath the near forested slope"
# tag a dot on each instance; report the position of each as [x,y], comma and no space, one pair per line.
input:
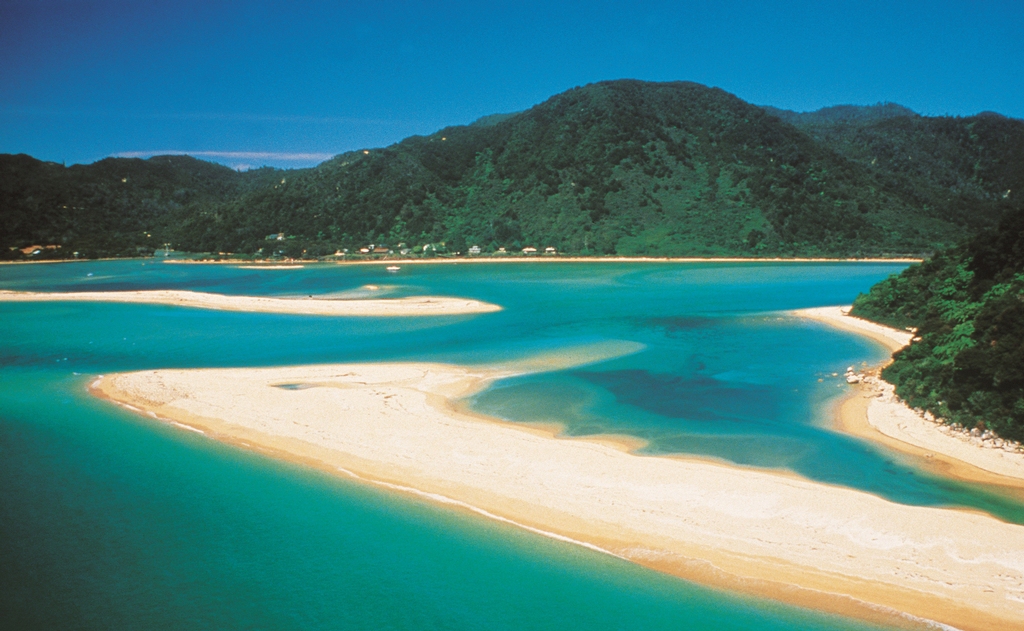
[884,418]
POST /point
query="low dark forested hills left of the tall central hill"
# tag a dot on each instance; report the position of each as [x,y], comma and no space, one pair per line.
[115,207]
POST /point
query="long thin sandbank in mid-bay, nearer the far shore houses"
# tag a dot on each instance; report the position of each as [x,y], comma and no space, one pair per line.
[418,306]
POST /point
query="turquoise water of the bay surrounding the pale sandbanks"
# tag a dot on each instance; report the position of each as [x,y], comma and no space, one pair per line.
[112,522]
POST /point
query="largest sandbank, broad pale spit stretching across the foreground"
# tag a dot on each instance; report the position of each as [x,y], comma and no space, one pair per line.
[762,533]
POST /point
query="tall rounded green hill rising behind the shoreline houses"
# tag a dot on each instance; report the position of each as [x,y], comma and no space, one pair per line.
[622,167]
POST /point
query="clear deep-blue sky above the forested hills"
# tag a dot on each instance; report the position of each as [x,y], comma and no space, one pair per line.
[280,83]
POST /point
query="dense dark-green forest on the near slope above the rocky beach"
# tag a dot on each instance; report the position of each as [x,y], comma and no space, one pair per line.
[967,363]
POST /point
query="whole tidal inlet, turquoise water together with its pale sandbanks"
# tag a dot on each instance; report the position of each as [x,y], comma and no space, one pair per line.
[596,445]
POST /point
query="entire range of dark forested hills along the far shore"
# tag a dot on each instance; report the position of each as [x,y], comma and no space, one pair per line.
[622,167]
